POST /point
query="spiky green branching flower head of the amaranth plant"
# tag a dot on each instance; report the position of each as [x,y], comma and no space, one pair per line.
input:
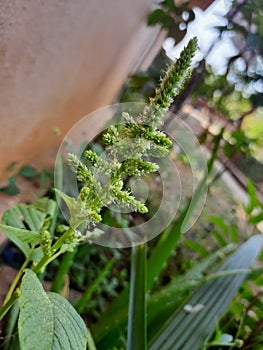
[128,149]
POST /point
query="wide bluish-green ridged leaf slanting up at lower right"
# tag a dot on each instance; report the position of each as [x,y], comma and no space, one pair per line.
[187,330]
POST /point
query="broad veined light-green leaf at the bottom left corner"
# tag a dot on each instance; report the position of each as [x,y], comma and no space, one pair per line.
[47,321]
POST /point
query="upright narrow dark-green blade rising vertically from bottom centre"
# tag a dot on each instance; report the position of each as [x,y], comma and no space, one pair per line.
[137,305]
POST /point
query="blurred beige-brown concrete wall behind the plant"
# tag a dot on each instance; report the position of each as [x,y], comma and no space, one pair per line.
[60,60]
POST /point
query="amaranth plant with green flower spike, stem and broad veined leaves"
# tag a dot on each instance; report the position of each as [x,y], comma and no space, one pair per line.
[37,243]
